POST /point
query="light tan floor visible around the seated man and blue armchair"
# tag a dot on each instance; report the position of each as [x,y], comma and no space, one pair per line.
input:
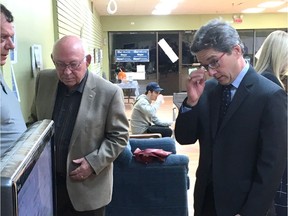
[192,151]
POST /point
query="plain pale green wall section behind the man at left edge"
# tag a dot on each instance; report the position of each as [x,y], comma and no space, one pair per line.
[33,21]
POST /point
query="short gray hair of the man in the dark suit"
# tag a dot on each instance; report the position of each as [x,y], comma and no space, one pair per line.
[217,35]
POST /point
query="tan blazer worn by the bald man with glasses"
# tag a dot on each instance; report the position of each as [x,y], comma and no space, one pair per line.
[100,134]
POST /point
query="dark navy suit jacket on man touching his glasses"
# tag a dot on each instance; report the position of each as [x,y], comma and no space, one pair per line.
[246,157]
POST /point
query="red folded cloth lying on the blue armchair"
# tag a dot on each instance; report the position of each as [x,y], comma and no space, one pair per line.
[148,155]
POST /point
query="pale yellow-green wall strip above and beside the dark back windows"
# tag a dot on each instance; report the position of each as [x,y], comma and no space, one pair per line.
[183,22]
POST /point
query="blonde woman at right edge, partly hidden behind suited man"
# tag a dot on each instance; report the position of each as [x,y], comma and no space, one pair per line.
[273,64]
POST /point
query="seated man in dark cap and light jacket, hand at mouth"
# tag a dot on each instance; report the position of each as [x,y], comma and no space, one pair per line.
[144,118]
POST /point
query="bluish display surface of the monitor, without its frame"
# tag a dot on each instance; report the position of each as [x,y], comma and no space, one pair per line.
[35,188]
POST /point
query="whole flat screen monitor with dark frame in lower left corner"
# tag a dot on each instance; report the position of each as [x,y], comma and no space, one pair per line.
[27,174]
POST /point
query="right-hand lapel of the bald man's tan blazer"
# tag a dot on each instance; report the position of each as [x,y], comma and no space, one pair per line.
[85,105]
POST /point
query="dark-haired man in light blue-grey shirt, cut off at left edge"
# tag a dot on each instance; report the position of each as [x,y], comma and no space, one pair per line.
[12,121]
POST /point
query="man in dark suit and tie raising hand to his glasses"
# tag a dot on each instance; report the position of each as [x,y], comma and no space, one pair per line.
[242,155]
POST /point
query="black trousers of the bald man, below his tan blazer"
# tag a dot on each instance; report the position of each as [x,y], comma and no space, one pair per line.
[63,204]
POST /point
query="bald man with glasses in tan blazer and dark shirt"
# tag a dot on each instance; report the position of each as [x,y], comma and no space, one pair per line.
[91,128]
